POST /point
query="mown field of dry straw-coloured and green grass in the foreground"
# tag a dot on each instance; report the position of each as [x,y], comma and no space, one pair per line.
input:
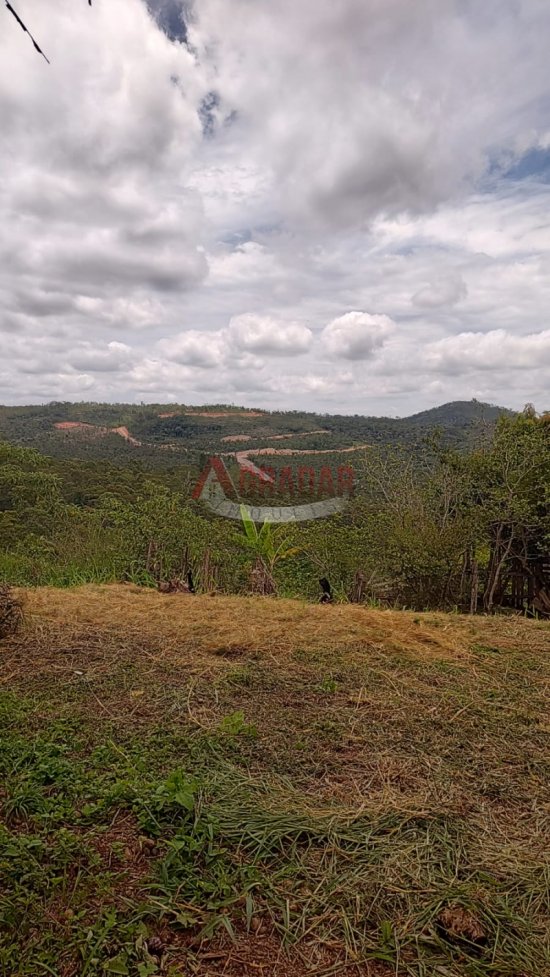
[217,785]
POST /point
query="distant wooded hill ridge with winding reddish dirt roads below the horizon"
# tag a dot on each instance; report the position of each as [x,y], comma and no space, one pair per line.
[166,435]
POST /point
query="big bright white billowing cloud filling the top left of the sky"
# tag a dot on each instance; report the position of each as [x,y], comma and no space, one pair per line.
[102,138]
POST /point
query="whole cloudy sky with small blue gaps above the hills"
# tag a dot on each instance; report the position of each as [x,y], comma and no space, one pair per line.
[335,206]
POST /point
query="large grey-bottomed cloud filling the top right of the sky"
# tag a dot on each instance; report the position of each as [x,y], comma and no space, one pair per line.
[344,103]
